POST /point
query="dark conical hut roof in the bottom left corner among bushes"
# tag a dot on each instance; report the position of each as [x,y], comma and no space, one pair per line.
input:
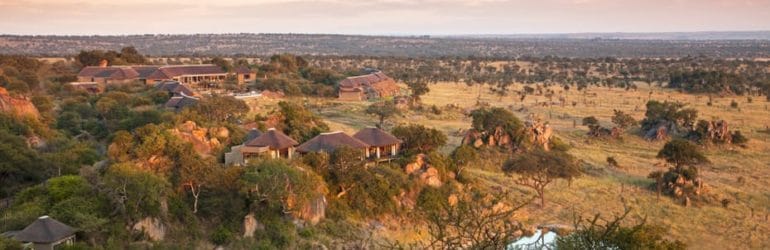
[45,230]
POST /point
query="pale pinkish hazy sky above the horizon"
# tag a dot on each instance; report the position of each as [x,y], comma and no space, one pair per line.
[390,17]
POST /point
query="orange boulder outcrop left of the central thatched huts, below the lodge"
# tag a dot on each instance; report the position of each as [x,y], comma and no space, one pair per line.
[204,140]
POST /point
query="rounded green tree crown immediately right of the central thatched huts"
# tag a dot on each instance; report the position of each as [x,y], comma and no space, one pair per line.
[418,138]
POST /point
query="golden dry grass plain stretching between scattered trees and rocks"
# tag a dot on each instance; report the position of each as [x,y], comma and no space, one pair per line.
[741,175]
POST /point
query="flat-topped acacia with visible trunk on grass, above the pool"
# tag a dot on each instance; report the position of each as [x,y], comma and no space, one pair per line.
[539,168]
